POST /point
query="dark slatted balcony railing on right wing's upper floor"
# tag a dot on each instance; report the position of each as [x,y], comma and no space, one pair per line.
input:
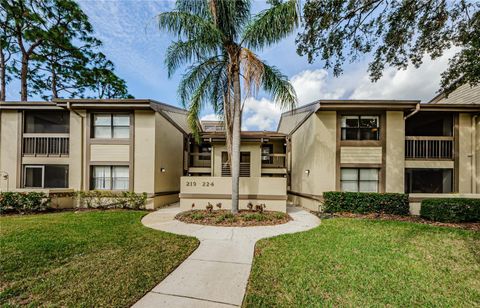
[427,147]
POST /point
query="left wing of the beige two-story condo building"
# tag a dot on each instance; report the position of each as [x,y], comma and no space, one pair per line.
[78,145]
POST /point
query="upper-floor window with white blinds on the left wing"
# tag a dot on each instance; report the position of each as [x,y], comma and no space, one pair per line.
[111,126]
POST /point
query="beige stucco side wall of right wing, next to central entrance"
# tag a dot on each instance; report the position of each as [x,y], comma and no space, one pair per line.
[314,149]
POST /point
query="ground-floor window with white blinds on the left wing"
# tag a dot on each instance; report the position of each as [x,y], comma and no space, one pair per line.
[110,178]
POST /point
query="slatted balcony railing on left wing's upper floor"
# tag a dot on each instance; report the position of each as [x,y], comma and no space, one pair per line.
[45,145]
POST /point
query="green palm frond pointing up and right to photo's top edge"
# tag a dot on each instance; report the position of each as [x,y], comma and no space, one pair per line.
[272,25]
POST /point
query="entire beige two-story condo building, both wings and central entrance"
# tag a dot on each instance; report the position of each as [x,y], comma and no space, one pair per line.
[424,149]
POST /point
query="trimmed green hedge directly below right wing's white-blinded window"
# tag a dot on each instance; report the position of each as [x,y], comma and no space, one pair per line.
[364,203]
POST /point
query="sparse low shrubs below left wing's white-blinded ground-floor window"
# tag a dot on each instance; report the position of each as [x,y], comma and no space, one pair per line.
[112,200]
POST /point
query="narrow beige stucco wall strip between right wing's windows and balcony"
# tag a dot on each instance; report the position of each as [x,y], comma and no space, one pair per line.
[395,152]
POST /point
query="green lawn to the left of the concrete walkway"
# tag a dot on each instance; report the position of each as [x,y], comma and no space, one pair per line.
[90,259]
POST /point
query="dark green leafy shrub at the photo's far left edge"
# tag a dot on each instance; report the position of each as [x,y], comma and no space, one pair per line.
[23,202]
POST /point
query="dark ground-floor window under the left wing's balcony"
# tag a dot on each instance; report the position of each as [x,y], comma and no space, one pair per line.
[45,176]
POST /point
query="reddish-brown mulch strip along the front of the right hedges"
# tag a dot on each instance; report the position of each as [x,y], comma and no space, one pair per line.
[475,226]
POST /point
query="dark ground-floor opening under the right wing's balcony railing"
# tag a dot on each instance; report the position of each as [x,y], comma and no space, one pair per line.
[428,180]
